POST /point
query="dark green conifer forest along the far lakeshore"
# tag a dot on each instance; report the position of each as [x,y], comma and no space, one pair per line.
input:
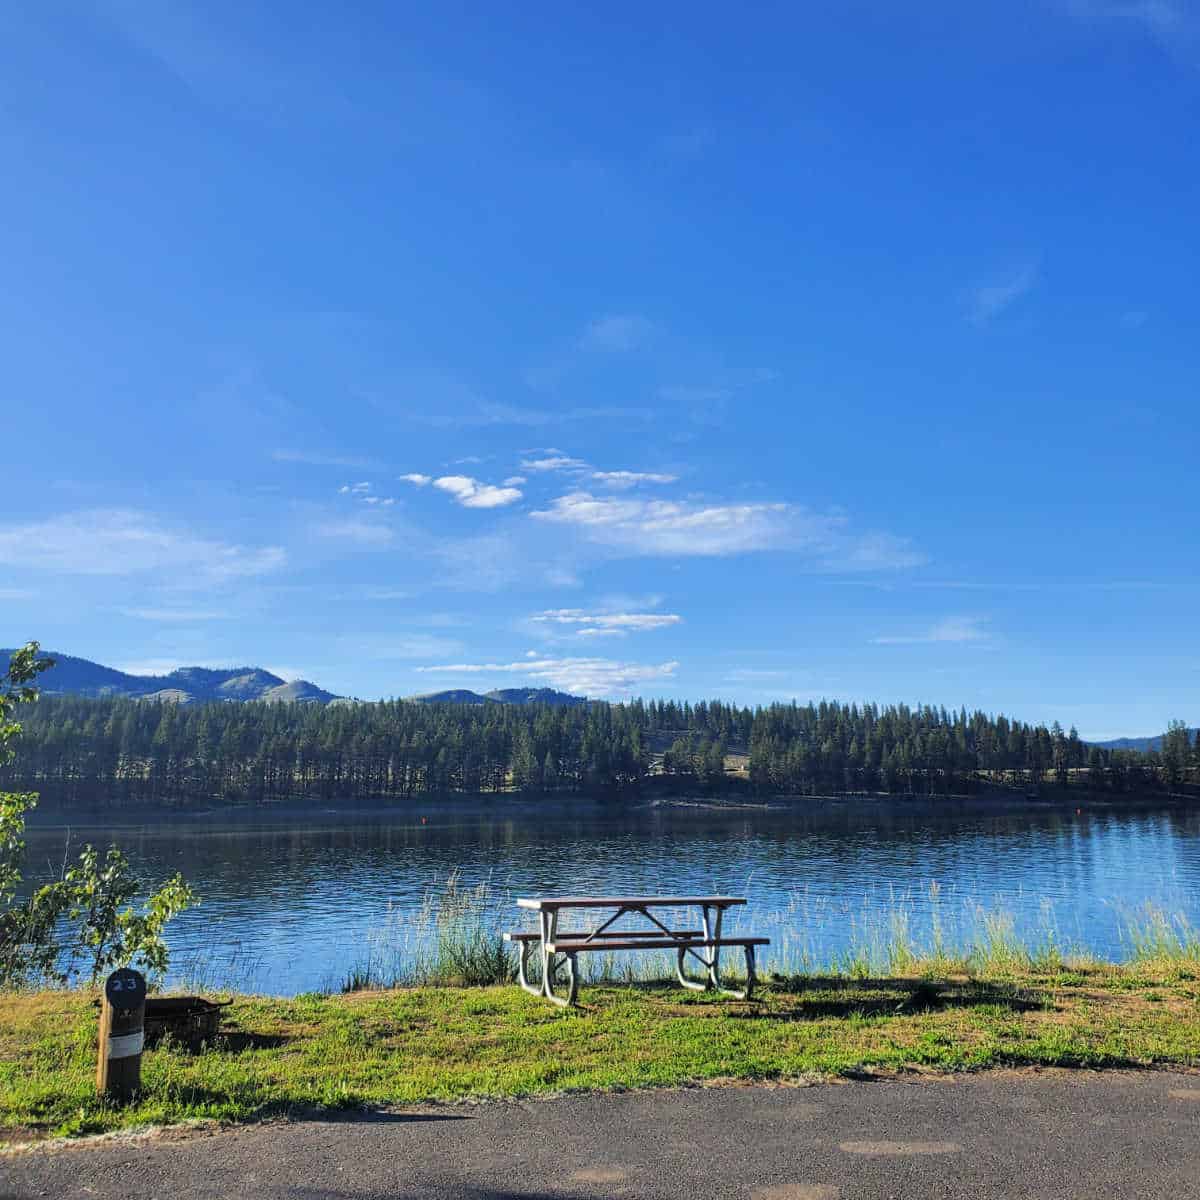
[125,752]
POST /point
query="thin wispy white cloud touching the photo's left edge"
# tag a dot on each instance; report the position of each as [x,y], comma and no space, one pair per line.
[125,542]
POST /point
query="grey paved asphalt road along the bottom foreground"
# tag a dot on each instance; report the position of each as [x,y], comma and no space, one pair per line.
[1049,1136]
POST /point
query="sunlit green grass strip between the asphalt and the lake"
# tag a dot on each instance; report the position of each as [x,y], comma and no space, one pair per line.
[346,1052]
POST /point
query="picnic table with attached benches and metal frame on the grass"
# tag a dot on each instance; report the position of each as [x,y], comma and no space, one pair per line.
[557,949]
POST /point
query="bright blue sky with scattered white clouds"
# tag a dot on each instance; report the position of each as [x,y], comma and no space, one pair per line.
[767,352]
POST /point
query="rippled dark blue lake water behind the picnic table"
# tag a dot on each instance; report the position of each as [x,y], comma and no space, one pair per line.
[295,908]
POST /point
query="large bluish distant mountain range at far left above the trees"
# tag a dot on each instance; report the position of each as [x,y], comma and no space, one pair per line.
[187,686]
